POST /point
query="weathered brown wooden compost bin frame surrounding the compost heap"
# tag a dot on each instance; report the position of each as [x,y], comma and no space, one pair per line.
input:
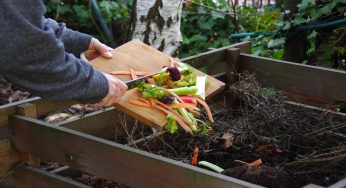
[84,144]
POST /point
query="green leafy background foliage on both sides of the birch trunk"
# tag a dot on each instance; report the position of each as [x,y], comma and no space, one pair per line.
[210,25]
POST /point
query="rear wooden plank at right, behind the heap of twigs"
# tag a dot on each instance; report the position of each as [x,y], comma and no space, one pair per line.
[318,81]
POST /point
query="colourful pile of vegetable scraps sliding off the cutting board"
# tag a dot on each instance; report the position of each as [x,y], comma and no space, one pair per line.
[176,91]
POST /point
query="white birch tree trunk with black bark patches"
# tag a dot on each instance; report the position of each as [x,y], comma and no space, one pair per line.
[157,23]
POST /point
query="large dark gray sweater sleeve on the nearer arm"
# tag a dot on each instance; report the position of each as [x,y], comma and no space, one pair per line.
[34,58]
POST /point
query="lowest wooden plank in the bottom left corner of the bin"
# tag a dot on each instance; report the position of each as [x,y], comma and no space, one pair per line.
[29,177]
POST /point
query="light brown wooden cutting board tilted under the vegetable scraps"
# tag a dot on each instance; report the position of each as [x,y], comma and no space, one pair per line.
[141,57]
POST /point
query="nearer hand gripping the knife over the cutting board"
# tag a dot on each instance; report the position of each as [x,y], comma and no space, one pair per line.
[117,89]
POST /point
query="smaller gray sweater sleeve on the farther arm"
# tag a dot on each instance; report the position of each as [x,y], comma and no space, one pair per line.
[74,41]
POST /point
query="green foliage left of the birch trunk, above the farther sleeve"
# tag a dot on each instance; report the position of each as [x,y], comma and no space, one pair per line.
[78,15]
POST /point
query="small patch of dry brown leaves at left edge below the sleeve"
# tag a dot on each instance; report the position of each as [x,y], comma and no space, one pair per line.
[9,93]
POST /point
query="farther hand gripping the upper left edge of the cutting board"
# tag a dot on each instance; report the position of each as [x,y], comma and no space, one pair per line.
[96,49]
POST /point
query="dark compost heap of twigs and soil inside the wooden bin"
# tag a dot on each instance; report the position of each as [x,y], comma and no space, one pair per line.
[296,145]
